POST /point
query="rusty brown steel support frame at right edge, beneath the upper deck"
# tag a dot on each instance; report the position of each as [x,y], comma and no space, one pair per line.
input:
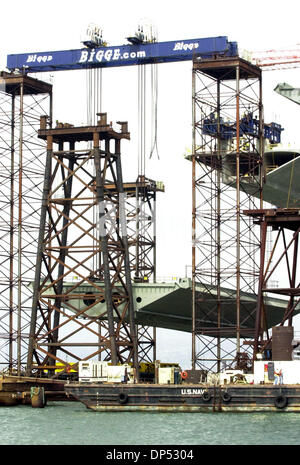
[284,254]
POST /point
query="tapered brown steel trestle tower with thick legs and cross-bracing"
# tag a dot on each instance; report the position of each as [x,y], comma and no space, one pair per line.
[77,251]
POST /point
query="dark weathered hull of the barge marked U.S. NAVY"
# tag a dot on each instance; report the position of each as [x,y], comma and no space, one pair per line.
[186,398]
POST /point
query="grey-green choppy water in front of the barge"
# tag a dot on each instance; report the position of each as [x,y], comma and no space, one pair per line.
[71,423]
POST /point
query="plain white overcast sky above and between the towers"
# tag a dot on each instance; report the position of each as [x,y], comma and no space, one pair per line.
[33,26]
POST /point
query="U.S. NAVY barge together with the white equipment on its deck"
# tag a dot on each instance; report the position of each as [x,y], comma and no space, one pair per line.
[273,386]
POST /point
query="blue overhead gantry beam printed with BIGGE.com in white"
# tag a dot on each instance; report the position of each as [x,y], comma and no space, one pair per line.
[124,55]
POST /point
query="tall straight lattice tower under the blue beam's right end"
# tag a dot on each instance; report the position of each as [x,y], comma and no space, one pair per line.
[227,179]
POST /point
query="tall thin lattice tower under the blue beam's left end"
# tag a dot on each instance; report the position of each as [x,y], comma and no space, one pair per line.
[23,101]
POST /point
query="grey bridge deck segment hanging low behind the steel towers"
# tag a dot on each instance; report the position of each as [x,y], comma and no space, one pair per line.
[168,305]
